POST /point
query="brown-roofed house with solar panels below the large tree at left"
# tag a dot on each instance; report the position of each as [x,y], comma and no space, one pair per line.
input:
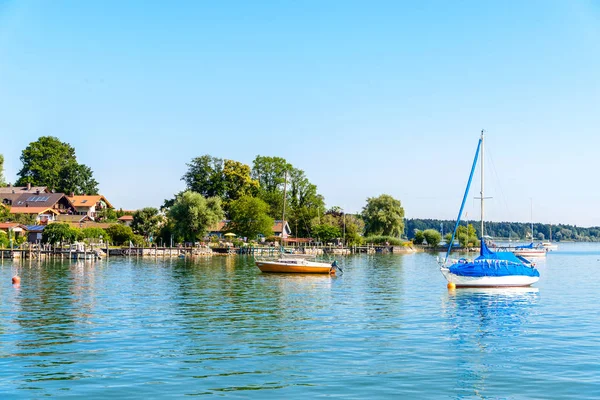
[45,206]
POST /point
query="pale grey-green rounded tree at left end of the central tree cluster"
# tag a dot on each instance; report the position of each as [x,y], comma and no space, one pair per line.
[192,215]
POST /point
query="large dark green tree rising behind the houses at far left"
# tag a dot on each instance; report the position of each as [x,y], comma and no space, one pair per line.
[50,162]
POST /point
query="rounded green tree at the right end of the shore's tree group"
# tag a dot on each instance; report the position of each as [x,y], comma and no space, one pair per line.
[383,215]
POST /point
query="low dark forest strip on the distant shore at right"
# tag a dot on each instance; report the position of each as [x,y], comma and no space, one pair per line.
[516,231]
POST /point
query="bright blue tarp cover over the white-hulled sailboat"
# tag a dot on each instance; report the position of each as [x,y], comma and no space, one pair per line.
[490,263]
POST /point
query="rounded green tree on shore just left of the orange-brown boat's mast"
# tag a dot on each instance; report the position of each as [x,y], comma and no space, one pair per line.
[249,217]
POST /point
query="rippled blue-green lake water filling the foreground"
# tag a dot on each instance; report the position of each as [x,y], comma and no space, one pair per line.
[386,328]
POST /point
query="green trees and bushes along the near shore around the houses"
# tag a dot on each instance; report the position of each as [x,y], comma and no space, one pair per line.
[250,198]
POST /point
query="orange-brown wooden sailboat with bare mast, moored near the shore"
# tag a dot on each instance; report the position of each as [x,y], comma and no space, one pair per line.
[294,263]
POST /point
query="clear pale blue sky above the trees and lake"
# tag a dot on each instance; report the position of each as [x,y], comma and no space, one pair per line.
[367,97]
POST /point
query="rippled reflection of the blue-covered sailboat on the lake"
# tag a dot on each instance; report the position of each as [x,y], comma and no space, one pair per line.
[486,325]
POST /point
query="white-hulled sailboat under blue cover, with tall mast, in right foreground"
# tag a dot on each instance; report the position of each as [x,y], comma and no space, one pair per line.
[490,269]
